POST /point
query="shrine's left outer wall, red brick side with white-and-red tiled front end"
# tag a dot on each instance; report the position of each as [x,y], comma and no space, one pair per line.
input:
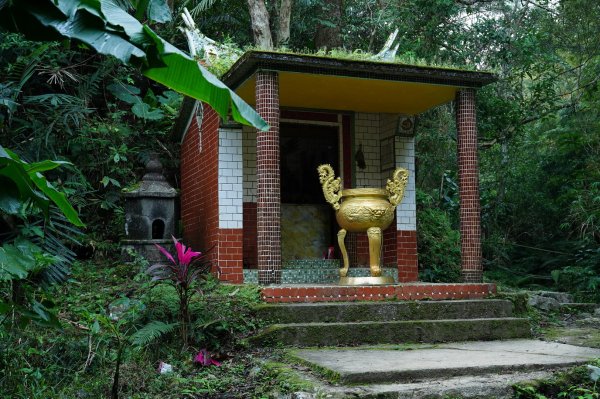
[211,194]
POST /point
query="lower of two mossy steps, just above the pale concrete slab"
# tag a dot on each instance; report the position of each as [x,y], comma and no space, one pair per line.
[391,332]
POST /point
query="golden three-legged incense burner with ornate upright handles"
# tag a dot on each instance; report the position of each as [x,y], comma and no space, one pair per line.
[360,210]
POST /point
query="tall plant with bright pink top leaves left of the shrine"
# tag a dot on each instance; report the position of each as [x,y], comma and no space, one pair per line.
[182,274]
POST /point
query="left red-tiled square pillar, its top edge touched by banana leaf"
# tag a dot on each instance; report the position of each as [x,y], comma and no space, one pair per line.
[268,201]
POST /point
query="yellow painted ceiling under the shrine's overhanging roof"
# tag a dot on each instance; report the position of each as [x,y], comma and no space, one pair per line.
[303,90]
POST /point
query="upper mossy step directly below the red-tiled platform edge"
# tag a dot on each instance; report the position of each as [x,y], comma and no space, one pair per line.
[384,311]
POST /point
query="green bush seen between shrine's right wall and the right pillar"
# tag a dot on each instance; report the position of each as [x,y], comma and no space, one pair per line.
[438,243]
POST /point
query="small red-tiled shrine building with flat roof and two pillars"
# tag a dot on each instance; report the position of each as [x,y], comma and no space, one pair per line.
[254,197]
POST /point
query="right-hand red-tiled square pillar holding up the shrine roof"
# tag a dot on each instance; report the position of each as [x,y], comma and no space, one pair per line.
[468,180]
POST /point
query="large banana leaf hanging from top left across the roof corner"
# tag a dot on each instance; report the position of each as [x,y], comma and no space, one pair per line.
[110,30]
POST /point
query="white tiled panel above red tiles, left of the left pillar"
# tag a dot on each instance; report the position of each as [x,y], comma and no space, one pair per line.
[230,178]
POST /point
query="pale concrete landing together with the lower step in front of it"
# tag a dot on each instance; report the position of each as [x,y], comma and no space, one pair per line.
[466,369]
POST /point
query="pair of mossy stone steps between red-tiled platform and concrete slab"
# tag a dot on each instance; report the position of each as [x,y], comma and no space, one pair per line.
[352,324]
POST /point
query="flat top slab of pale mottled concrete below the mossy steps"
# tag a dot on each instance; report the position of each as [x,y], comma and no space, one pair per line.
[446,360]
